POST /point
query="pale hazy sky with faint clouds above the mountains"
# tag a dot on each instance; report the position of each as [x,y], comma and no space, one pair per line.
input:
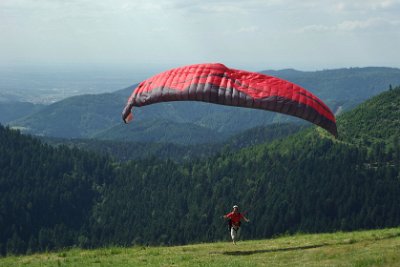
[252,34]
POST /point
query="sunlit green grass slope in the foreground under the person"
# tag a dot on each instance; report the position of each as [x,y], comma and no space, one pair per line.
[362,248]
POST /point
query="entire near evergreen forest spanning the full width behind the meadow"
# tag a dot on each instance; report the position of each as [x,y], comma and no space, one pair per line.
[56,197]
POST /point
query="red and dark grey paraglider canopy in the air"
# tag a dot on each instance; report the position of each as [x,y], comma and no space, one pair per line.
[215,83]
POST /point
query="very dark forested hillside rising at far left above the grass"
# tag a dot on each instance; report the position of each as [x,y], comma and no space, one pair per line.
[46,194]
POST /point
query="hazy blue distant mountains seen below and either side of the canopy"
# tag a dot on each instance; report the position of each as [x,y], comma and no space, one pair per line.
[99,116]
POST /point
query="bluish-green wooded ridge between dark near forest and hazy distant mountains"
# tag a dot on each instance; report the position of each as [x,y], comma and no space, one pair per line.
[125,150]
